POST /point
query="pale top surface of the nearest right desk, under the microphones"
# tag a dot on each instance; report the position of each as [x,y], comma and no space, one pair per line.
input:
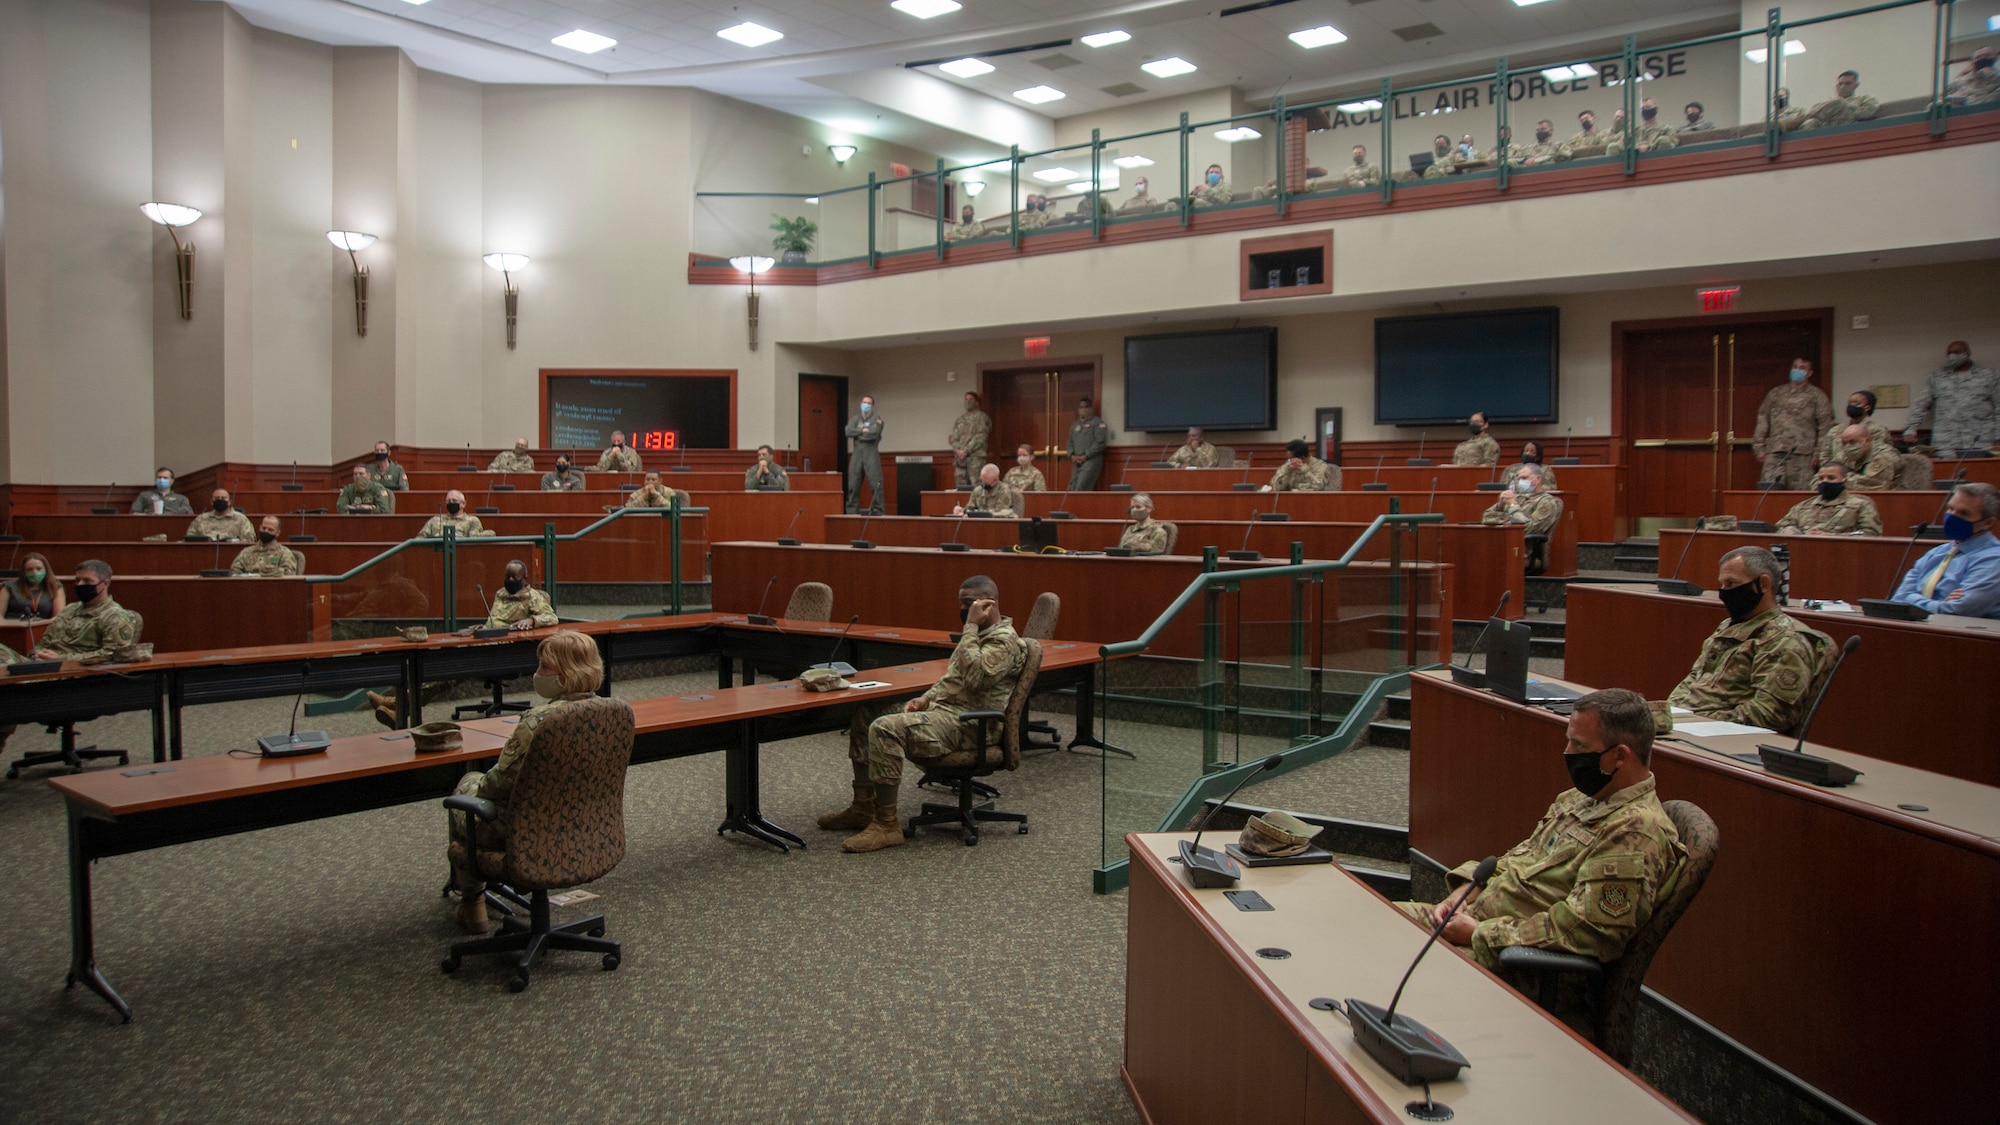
[1347,942]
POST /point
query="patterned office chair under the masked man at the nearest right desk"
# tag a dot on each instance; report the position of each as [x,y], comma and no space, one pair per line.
[1613,988]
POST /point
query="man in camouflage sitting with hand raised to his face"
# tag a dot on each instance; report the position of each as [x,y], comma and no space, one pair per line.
[983,676]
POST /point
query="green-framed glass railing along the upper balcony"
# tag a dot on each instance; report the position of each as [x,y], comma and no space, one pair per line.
[1635,63]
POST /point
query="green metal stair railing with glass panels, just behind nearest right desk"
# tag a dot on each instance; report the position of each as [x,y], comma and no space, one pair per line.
[1291,678]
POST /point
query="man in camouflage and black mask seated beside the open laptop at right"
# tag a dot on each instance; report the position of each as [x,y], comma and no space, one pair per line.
[1757,668]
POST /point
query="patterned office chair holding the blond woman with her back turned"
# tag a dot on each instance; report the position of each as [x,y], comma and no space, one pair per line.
[563,828]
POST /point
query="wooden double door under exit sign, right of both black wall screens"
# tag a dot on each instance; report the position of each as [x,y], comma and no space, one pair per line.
[1687,397]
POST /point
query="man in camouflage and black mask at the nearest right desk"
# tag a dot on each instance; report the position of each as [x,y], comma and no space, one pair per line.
[1593,870]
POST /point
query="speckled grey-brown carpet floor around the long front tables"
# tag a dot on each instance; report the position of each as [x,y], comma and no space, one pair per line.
[295,972]
